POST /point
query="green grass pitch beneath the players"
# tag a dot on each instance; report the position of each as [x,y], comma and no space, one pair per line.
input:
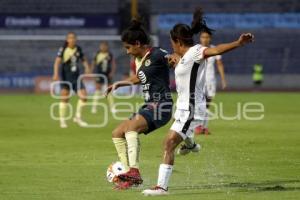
[240,160]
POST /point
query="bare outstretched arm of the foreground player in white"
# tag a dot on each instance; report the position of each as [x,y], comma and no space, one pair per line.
[244,39]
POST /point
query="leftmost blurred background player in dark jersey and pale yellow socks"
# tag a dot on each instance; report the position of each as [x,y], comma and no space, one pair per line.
[67,69]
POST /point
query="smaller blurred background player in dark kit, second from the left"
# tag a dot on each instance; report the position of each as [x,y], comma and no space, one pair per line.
[104,64]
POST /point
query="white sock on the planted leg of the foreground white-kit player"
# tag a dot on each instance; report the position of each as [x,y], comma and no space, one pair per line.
[164,175]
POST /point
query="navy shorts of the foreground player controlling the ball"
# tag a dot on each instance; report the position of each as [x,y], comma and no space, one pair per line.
[157,114]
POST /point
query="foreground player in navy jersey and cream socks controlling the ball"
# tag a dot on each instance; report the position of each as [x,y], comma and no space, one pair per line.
[153,74]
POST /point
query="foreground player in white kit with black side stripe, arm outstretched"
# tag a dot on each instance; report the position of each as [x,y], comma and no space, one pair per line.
[190,81]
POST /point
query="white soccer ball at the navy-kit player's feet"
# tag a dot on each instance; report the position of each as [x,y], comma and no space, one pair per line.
[114,170]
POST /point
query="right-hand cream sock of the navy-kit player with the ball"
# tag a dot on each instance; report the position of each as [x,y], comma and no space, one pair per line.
[133,146]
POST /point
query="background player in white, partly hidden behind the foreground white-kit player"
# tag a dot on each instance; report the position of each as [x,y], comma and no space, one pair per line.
[211,80]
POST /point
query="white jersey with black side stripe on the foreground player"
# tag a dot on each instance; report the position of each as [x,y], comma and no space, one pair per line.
[190,81]
